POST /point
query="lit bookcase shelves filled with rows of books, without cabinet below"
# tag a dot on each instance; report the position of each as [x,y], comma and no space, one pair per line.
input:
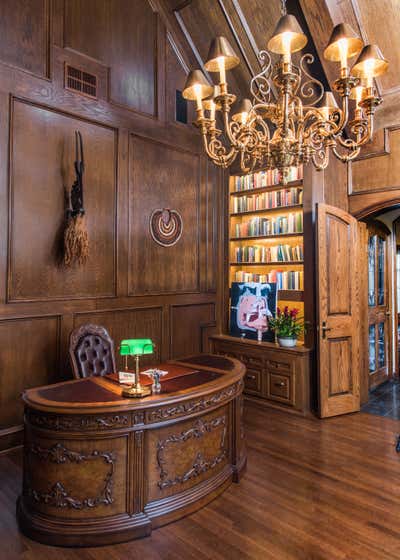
[266,242]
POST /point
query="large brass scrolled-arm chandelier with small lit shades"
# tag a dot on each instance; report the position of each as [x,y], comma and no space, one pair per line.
[291,119]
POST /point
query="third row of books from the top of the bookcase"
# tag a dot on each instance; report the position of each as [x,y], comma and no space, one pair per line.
[292,223]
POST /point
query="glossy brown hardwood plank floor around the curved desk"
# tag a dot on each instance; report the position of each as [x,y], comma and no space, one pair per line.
[314,490]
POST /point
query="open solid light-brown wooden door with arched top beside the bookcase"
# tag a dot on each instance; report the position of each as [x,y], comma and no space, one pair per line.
[338,311]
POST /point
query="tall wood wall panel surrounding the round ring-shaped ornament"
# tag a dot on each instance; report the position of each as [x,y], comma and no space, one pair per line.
[170,179]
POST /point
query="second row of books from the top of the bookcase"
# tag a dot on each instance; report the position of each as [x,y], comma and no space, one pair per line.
[268,200]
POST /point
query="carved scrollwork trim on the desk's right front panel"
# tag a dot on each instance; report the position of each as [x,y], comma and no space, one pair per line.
[200,464]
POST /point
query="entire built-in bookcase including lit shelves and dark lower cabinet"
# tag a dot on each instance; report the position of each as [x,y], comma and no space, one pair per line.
[265,235]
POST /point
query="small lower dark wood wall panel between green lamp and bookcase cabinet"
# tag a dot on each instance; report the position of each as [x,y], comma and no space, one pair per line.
[186,327]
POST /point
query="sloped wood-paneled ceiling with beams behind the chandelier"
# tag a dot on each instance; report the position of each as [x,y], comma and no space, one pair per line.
[248,24]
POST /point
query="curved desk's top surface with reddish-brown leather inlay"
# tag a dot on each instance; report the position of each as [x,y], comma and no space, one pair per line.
[185,378]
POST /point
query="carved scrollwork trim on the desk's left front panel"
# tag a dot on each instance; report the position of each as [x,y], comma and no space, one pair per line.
[58,495]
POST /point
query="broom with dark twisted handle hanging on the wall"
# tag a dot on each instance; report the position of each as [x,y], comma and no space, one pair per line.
[76,242]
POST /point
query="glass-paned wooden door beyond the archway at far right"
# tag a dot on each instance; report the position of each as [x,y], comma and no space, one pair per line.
[379,323]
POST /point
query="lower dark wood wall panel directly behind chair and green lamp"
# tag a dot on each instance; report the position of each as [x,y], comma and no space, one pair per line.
[129,323]
